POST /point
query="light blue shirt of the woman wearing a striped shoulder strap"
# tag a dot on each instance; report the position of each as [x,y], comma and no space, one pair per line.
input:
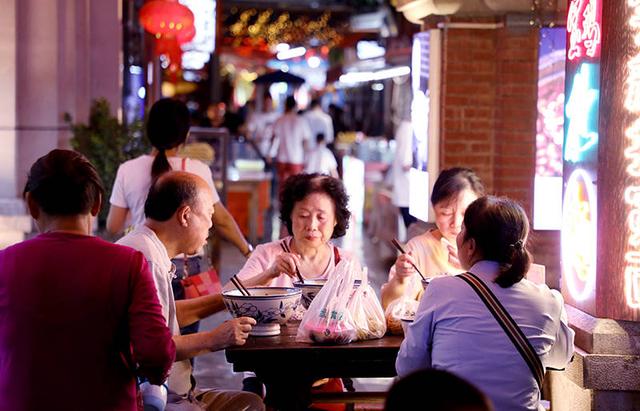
[454,331]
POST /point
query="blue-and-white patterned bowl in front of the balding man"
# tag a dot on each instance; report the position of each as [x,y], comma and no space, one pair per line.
[269,306]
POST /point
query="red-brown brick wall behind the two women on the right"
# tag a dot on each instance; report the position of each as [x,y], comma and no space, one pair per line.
[488,117]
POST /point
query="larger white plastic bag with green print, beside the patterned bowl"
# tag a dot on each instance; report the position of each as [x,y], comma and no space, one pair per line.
[327,320]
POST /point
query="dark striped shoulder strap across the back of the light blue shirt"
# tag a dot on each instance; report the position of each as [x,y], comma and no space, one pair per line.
[509,326]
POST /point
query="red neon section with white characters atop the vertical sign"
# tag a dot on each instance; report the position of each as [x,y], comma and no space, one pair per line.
[584,28]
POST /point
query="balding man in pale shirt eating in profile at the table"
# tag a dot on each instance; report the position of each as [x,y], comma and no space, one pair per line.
[178,213]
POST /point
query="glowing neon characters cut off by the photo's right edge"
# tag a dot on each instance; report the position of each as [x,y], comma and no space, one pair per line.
[632,155]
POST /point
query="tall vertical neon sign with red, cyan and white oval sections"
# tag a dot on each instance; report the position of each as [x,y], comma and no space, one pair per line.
[579,238]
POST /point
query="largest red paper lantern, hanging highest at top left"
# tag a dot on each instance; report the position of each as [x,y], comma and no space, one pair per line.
[167,18]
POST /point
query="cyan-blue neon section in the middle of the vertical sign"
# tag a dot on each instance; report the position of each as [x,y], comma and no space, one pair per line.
[582,113]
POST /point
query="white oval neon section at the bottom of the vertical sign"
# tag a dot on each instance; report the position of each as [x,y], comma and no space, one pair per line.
[579,235]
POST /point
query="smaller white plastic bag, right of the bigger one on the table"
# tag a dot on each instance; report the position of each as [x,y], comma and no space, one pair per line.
[366,311]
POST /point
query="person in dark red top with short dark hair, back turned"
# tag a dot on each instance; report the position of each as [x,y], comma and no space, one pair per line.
[79,317]
